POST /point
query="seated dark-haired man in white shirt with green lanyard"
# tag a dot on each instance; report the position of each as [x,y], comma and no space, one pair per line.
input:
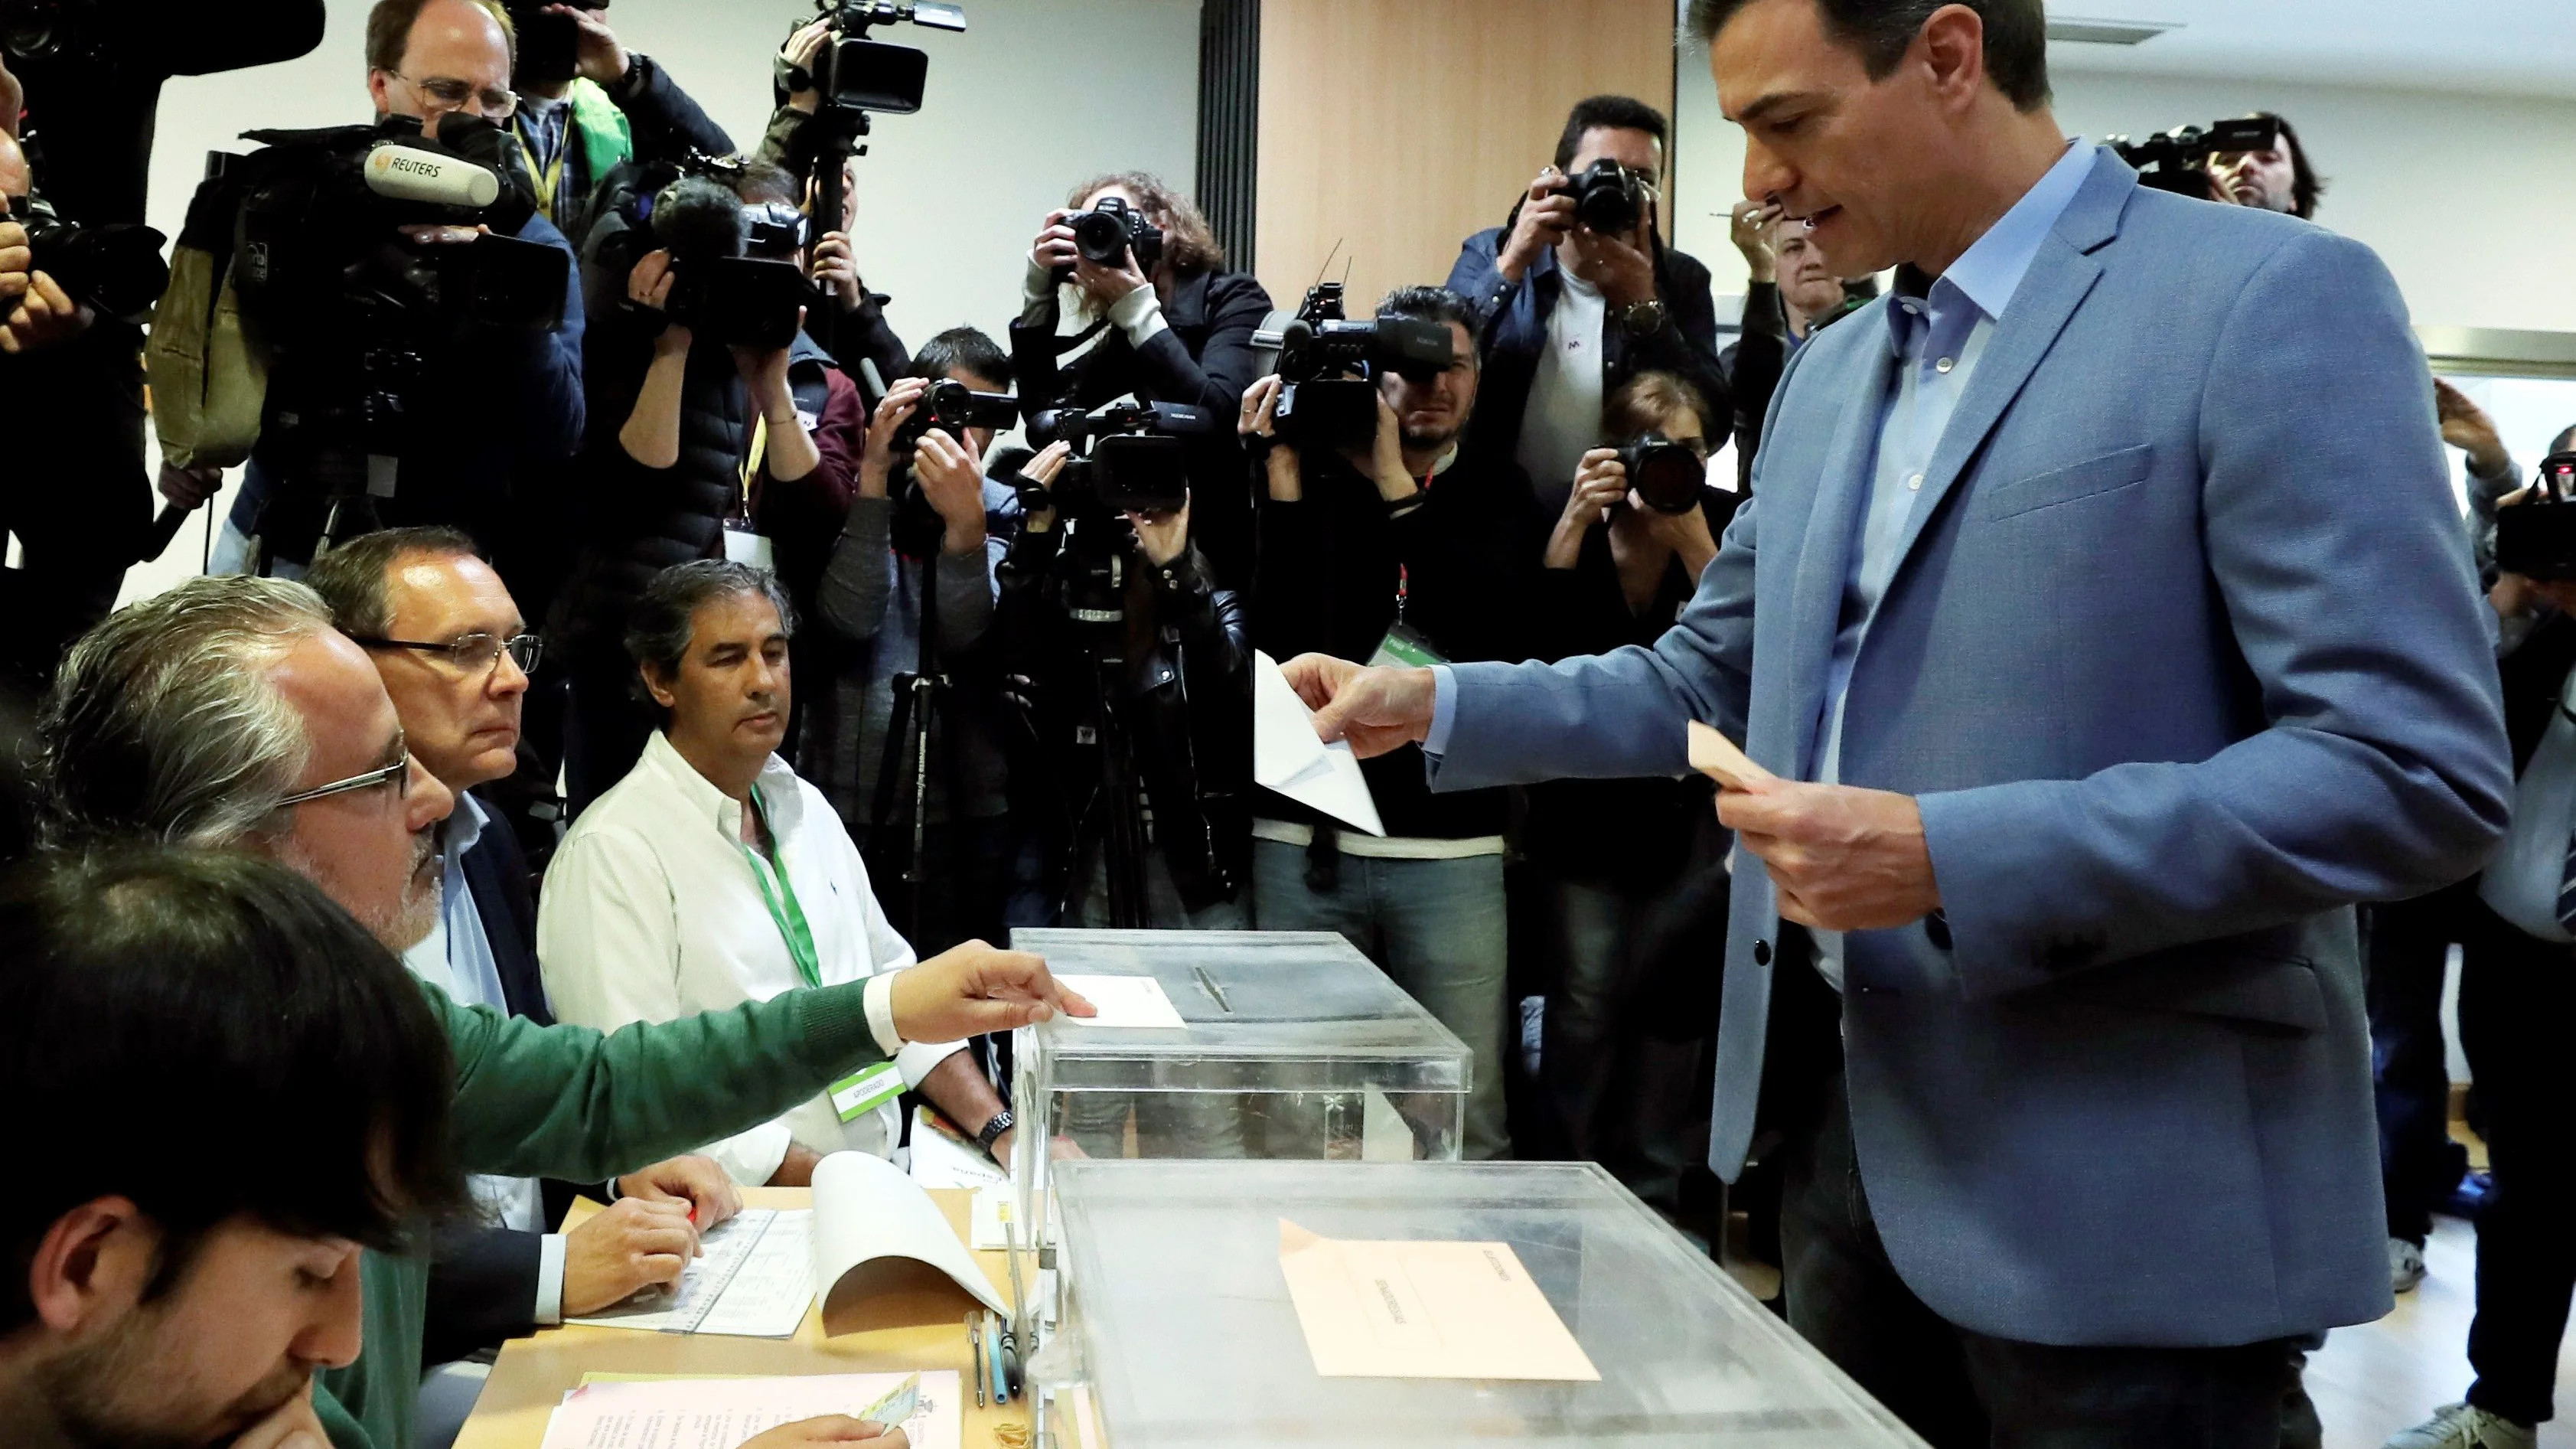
[715,875]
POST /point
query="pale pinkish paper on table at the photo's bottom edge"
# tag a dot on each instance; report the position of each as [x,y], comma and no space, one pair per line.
[689,1414]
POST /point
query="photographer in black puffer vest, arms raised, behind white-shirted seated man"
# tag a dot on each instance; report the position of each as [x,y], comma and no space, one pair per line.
[699,300]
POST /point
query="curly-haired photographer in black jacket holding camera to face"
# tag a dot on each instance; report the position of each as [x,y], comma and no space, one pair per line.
[1127,293]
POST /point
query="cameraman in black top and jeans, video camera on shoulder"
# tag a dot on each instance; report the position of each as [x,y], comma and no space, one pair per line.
[1390,527]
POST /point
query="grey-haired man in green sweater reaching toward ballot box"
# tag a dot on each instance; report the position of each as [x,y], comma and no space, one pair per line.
[231,715]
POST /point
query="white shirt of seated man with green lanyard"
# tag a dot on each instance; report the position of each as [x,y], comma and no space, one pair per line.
[653,911]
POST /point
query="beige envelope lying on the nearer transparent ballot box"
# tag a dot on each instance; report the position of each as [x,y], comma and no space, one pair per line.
[1426,1311]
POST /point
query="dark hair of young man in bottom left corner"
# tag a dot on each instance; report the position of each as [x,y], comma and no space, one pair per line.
[300,1066]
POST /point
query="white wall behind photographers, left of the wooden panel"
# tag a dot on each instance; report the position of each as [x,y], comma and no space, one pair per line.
[1032,99]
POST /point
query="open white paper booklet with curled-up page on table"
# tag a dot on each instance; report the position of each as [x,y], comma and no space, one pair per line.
[872,1241]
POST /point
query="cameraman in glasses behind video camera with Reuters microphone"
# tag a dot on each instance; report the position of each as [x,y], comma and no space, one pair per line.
[421,316]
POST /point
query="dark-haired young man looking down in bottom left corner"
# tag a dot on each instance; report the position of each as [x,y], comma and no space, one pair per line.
[189,1296]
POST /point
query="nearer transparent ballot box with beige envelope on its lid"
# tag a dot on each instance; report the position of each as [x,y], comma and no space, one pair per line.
[1179,1324]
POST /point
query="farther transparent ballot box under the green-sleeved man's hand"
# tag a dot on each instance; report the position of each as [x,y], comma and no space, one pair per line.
[1274,1045]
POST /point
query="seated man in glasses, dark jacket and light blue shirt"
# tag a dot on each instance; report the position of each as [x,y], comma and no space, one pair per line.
[455,656]
